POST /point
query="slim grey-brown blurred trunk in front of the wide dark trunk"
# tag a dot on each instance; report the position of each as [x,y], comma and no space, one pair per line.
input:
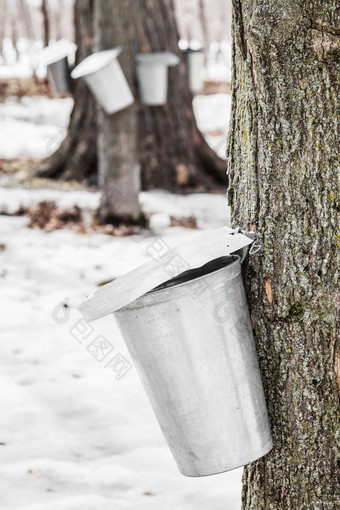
[118,165]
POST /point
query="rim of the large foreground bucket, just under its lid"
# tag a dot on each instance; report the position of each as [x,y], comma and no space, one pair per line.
[229,260]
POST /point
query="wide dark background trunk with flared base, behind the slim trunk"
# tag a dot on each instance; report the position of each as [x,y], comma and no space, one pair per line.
[172,151]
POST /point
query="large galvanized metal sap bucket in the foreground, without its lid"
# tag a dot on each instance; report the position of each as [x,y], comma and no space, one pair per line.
[192,345]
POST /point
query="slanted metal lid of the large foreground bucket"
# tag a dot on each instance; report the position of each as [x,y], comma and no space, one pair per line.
[192,254]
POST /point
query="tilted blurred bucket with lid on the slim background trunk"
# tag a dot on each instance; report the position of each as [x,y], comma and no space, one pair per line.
[106,80]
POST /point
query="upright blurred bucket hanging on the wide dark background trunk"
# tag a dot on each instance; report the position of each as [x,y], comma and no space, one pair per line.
[152,76]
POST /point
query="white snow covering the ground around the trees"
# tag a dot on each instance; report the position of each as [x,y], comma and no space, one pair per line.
[72,436]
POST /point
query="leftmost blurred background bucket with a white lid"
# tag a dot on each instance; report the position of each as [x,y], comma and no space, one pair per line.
[55,57]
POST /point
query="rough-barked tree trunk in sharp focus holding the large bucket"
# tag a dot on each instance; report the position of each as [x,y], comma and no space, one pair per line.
[283,153]
